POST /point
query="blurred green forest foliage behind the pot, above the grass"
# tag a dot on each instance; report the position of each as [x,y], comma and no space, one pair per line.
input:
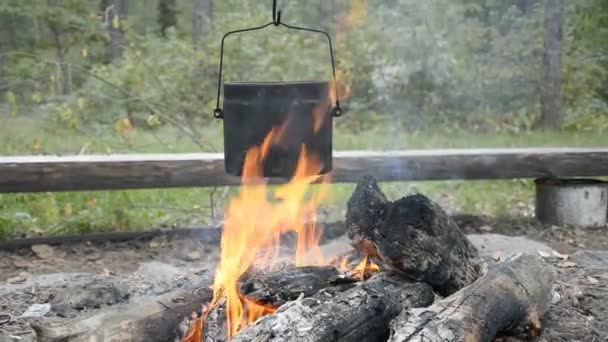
[406,61]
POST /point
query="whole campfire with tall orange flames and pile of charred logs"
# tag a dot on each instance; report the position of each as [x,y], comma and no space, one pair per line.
[405,253]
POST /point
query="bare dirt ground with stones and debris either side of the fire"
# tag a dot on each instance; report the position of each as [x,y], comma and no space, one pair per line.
[151,266]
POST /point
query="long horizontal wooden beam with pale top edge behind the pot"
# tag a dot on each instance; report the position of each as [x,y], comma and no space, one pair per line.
[142,171]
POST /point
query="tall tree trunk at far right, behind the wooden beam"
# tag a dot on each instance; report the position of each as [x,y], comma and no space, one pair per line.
[551,82]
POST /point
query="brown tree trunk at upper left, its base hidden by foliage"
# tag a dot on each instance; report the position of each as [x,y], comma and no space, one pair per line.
[116,14]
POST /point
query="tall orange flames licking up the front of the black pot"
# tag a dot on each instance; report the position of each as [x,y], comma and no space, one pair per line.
[254,223]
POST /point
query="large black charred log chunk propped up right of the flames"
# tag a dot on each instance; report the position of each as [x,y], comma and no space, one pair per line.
[412,236]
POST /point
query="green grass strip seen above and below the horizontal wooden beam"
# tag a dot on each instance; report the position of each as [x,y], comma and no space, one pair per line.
[81,212]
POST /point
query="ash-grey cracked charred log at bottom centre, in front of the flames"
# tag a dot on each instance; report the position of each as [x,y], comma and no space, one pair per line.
[360,313]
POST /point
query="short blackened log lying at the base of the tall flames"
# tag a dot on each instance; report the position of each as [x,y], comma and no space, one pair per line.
[274,288]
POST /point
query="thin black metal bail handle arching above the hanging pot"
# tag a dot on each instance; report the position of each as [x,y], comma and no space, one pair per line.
[218,113]
